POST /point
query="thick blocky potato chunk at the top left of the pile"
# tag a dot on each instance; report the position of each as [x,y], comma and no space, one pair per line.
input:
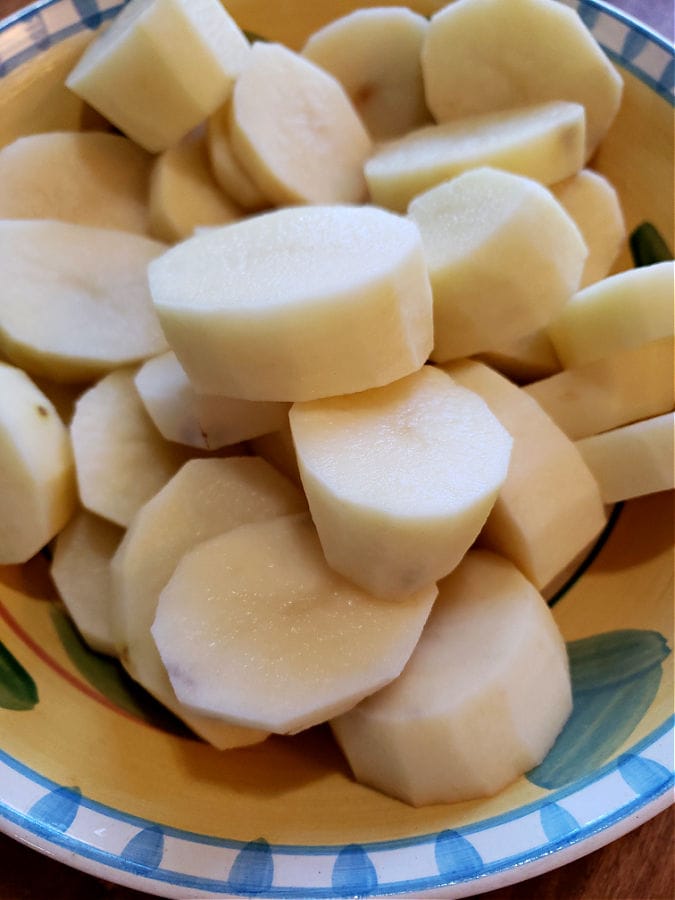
[161,68]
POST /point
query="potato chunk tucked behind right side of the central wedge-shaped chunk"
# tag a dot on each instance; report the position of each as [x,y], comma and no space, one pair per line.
[549,508]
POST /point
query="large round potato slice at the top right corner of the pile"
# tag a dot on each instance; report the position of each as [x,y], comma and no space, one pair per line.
[485,55]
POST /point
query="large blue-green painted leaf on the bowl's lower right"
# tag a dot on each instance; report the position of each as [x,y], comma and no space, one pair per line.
[615,677]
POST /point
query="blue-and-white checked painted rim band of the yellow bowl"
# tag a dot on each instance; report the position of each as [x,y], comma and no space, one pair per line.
[60,816]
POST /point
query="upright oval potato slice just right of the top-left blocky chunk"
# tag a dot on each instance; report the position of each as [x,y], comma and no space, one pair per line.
[295,132]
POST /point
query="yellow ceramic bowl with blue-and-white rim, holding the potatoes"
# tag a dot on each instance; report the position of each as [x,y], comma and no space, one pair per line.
[93,773]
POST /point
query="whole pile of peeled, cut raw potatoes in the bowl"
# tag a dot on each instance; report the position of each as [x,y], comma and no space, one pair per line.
[340,219]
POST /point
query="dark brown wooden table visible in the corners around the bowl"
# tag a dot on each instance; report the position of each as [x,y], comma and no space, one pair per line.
[639,866]
